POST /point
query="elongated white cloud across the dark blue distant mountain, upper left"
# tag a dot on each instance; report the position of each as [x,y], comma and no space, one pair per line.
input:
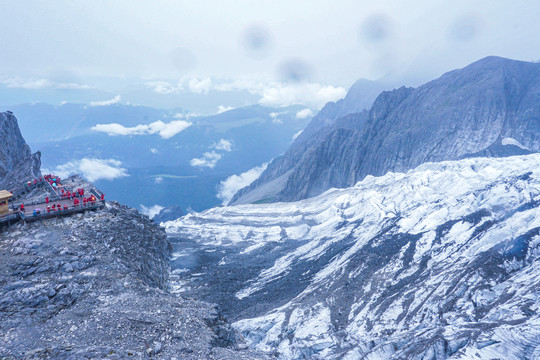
[165,130]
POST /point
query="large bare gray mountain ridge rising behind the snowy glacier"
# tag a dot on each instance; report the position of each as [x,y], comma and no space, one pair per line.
[464,113]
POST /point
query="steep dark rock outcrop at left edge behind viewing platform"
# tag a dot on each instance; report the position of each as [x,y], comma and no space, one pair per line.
[17,163]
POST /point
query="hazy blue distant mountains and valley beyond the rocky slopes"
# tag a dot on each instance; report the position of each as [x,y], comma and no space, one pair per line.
[160,170]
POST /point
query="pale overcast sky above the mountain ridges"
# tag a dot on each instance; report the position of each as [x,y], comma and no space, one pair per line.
[260,47]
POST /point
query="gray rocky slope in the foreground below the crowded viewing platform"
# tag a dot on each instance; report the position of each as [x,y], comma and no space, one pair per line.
[95,285]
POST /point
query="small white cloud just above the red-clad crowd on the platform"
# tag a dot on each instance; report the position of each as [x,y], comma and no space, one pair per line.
[92,169]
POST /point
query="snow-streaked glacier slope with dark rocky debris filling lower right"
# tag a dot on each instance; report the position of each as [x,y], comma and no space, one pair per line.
[439,262]
